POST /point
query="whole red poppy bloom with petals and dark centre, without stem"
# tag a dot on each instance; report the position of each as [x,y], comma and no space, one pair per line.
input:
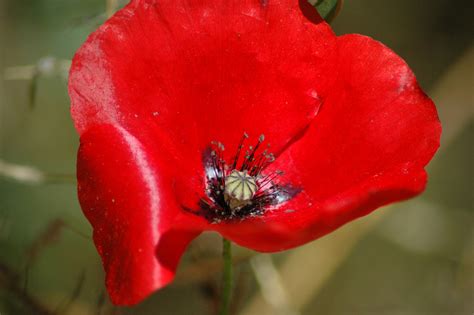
[167,93]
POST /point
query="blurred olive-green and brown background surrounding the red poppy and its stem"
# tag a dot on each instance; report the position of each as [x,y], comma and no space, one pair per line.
[413,258]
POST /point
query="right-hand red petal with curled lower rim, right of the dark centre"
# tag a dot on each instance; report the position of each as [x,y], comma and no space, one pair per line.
[366,148]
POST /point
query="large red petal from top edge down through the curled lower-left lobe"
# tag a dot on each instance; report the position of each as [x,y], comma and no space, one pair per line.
[149,91]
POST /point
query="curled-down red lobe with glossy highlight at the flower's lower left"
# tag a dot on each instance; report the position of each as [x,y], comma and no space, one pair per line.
[126,194]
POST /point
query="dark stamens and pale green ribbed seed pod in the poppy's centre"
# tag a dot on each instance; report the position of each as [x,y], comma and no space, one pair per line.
[241,188]
